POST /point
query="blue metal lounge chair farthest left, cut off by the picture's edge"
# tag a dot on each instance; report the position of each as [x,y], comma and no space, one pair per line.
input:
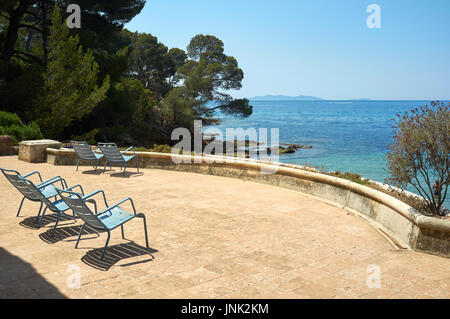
[47,187]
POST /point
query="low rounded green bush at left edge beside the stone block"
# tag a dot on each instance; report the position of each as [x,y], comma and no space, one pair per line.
[11,125]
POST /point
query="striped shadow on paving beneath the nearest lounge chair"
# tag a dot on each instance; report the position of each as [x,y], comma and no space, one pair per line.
[116,253]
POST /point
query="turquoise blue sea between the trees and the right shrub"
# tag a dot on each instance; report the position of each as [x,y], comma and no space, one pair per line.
[348,136]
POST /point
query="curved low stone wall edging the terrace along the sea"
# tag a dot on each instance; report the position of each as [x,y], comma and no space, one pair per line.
[400,222]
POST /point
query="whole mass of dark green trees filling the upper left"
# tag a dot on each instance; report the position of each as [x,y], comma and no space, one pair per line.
[102,82]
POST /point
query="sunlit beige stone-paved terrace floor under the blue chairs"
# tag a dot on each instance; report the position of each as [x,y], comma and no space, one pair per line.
[210,237]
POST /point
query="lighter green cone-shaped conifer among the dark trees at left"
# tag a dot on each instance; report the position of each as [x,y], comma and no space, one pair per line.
[70,90]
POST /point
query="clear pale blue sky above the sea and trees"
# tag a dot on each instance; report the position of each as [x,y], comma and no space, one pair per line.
[318,47]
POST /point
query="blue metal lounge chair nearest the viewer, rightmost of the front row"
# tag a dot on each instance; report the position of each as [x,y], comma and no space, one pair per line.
[106,220]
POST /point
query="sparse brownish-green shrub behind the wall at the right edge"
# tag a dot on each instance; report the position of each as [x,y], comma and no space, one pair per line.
[420,153]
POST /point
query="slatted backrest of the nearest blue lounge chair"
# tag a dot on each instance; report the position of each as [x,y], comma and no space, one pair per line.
[79,207]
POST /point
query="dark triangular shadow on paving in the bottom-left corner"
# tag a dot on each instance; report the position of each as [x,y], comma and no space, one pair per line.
[19,279]
